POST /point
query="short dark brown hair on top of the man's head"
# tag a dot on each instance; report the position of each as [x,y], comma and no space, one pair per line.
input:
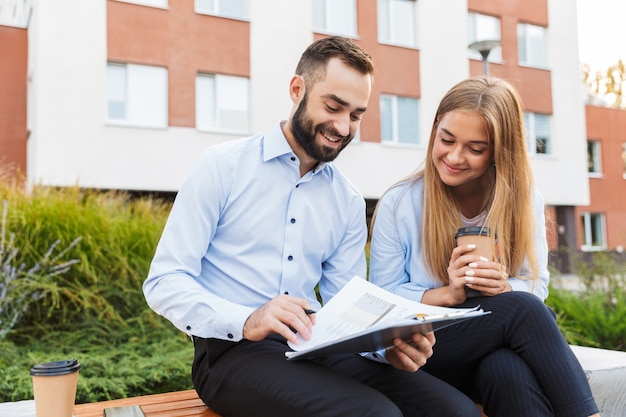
[312,64]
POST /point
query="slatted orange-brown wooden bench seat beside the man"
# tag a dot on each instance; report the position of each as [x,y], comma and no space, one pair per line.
[171,404]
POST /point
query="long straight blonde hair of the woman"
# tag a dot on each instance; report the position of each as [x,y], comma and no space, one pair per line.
[508,180]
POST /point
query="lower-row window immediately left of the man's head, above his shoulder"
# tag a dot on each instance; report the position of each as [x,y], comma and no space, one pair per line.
[222,103]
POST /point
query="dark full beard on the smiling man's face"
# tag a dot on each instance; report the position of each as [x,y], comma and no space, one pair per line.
[305,132]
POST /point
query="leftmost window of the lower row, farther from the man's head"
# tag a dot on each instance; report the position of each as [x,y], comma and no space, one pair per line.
[137,95]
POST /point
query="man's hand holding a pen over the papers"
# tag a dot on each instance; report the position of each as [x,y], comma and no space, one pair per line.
[284,315]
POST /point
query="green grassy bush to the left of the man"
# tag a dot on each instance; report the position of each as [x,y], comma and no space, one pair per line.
[96,312]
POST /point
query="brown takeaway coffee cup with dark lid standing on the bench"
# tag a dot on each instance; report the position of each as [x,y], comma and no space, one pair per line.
[54,386]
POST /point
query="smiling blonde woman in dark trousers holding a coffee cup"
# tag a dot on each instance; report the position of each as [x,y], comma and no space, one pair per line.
[515,362]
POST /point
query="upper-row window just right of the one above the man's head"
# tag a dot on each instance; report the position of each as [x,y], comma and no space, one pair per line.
[396,22]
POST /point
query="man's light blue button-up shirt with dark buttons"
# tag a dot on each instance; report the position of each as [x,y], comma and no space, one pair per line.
[245,227]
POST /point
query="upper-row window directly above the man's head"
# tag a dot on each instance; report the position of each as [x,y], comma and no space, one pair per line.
[335,16]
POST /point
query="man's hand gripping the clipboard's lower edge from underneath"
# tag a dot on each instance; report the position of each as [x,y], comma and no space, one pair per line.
[413,355]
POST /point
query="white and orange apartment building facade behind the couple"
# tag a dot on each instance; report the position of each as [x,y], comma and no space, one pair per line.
[124,94]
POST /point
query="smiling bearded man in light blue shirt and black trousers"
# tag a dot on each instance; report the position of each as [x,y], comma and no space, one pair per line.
[258,224]
